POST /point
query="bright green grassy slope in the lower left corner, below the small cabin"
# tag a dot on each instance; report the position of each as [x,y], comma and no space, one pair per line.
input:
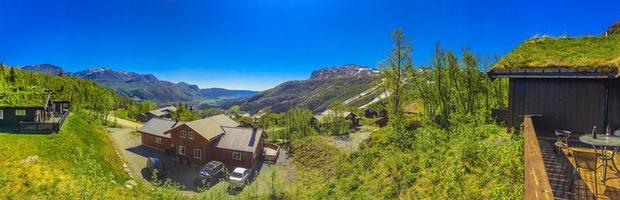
[79,162]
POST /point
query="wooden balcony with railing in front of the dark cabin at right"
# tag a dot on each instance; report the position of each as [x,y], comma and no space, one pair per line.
[549,171]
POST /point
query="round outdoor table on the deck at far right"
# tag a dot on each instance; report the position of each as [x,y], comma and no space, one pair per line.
[603,141]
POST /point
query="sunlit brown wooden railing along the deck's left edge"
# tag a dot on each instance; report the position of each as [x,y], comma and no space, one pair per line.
[537,184]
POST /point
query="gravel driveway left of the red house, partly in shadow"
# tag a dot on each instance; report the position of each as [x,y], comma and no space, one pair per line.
[129,144]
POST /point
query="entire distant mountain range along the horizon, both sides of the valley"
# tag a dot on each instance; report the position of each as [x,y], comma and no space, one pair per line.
[339,83]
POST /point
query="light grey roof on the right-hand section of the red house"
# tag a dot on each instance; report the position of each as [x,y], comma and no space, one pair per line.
[240,139]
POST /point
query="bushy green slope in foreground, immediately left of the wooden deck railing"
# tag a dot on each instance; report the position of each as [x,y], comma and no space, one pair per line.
[464,162]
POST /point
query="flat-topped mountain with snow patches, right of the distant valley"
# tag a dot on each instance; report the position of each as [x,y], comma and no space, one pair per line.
[326,85]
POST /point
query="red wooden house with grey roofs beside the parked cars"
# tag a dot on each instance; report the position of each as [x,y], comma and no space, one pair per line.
[198,142]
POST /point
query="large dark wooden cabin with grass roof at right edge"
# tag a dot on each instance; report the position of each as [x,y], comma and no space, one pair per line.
[569,83]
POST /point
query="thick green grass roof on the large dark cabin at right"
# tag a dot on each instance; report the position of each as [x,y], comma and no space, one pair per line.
[585,53]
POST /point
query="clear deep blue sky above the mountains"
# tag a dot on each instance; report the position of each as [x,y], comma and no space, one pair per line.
[257,44]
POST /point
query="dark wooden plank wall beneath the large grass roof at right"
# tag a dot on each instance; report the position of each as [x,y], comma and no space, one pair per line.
[571,104]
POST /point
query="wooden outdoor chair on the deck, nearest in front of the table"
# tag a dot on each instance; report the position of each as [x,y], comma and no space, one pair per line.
[586,161]
